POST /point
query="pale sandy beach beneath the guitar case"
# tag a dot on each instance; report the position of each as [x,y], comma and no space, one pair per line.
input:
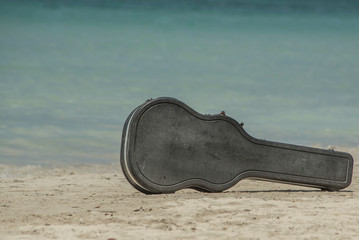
[96,202]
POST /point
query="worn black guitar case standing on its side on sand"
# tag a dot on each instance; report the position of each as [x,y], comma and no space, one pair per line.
[167,146]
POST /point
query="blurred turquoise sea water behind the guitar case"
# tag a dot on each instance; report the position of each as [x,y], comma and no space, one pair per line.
[71,71]
